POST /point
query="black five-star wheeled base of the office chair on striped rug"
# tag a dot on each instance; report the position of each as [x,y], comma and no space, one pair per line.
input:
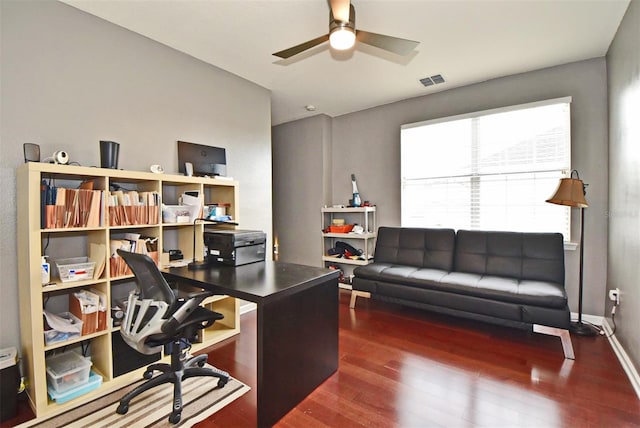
[179,370]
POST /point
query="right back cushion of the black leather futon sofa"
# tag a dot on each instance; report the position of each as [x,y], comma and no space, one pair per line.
[534,256]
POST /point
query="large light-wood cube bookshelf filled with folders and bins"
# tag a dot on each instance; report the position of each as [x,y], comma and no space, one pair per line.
[65,242]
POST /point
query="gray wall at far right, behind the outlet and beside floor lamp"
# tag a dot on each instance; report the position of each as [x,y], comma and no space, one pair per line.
[623,66]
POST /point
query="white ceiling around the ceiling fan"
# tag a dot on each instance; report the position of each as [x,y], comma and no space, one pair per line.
[467,41]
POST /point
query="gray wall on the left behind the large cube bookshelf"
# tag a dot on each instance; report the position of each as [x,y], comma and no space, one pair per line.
[70,79]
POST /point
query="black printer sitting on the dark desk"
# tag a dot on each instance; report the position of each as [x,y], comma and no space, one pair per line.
[234,247]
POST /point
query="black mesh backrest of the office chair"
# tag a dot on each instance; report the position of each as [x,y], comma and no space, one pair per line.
[149,307]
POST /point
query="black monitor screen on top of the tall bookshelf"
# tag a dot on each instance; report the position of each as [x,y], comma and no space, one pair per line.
[206,160]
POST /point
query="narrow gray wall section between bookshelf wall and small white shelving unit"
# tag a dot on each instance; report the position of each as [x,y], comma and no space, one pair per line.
[301,185]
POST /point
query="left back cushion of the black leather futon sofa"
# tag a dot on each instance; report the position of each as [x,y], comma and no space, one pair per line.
[428,248]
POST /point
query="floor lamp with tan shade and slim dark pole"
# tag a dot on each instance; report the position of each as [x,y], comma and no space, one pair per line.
[571,192]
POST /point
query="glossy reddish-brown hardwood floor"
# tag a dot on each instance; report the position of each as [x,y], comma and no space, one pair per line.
[401,367]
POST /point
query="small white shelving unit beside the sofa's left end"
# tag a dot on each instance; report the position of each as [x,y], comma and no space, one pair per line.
[363,216]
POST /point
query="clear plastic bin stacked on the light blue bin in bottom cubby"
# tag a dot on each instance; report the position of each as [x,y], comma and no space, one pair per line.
[68,370]
